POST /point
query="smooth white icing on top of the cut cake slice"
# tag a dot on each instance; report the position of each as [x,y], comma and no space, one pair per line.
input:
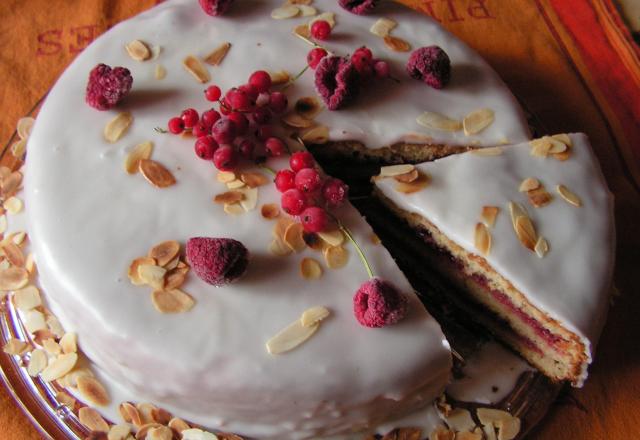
[571,283]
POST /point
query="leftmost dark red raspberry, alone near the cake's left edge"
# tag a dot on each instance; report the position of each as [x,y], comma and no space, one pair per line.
[107,86]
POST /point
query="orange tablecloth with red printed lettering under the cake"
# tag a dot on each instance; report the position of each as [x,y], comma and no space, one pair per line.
[571,64]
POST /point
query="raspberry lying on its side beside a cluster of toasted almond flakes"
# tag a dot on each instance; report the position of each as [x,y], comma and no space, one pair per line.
[217,261]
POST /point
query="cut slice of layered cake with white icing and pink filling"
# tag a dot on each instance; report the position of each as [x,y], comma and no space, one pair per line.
[526,232]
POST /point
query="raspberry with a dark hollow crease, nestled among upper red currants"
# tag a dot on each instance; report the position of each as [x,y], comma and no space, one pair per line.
[336,81]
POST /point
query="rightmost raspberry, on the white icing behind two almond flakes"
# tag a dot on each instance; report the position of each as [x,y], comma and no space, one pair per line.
[431,65]
